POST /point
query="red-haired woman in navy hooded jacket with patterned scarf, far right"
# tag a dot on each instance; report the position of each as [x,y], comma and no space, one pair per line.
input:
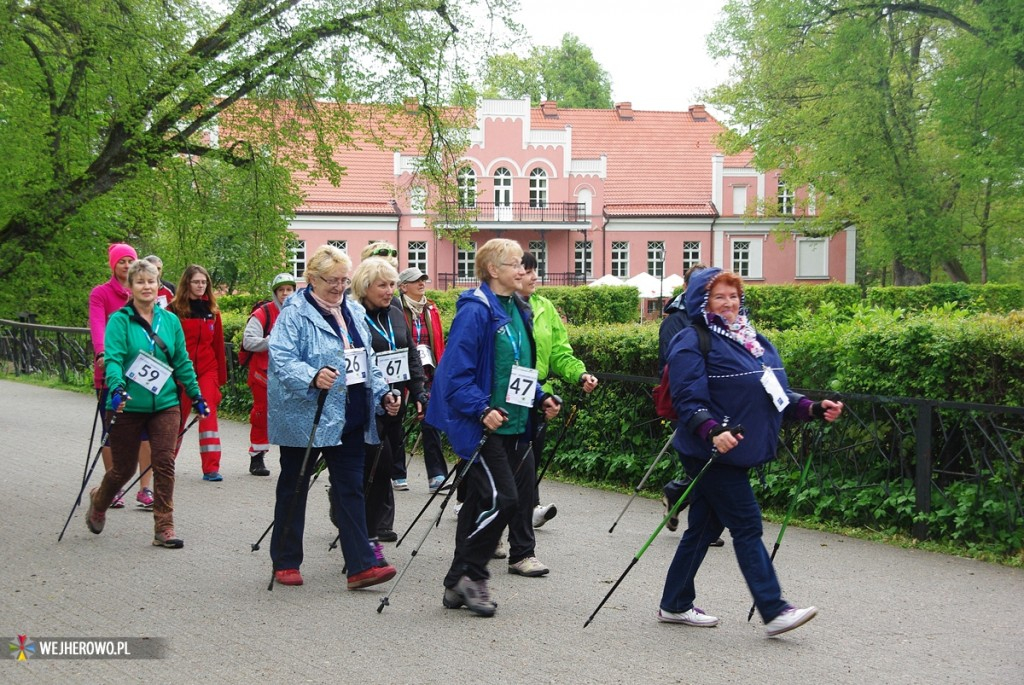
[742,382]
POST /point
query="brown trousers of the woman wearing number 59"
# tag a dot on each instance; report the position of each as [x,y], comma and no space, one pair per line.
[124,441]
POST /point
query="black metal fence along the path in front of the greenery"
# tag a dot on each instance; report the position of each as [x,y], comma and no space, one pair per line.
[932,469]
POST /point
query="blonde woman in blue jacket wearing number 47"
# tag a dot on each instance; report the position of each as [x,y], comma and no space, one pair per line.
[487,381]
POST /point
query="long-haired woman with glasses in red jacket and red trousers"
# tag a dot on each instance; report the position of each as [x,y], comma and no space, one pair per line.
[196,306]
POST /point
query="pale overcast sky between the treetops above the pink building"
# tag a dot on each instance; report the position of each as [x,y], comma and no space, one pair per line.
[655,51]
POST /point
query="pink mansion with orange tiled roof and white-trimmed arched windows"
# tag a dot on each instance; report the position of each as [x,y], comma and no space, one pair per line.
[589,192]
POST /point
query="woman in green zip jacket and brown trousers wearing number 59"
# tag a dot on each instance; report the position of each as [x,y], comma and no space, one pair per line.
[145,356]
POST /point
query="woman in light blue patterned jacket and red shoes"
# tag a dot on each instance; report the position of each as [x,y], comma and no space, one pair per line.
[321,344]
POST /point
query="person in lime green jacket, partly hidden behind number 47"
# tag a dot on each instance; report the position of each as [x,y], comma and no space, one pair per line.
[554,358]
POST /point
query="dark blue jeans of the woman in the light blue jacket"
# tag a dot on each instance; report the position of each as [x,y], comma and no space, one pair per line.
[346,466]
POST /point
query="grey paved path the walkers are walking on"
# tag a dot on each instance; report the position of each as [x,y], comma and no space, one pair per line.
[887,616]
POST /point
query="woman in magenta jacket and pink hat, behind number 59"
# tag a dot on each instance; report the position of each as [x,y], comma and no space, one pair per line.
[105,299]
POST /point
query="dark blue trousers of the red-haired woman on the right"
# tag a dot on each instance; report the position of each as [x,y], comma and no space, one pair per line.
[722,499]
